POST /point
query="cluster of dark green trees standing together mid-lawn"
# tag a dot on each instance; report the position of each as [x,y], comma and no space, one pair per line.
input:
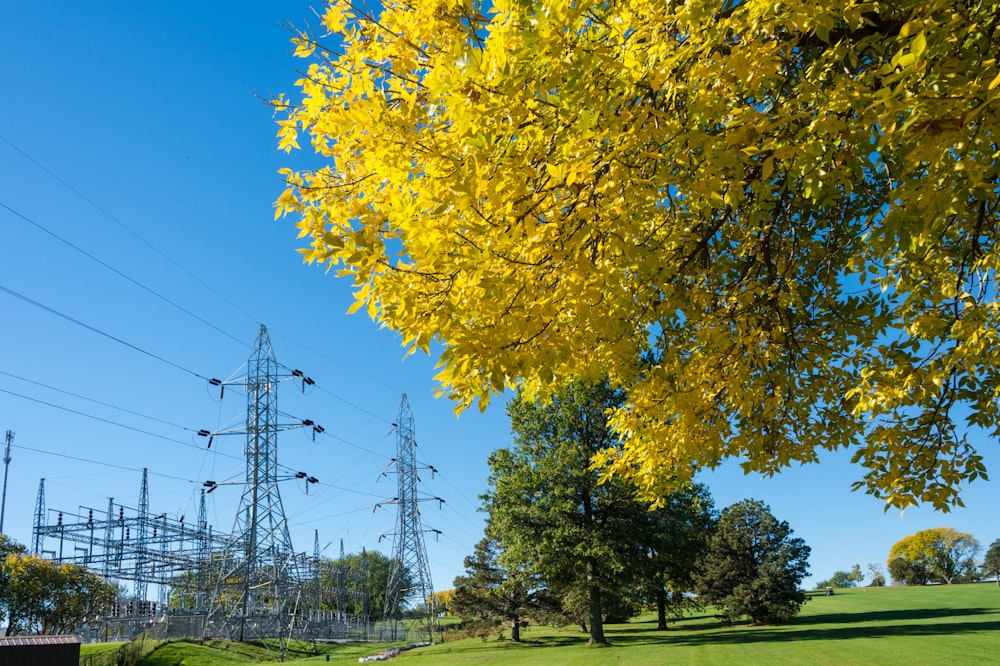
[564,545]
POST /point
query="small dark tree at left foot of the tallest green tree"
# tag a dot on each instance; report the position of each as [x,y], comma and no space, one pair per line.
[491,595]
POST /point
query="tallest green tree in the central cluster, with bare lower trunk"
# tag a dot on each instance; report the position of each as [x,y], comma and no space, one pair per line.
[547,509]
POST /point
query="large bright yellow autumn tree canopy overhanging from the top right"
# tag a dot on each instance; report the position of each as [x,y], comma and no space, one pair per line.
[774,225]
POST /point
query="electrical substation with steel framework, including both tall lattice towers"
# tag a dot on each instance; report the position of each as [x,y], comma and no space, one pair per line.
[249,582]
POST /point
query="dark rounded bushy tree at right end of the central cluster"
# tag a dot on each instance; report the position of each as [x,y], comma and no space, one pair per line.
[754,566]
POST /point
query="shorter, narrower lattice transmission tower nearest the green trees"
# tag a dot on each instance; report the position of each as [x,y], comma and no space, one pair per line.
[409,584]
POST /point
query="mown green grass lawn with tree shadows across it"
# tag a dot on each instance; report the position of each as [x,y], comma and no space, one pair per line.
[955,624]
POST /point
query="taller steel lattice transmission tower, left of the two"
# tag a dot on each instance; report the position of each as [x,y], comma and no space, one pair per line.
[261,573]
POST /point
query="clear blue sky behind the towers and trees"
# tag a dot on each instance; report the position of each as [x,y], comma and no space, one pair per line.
[134,133]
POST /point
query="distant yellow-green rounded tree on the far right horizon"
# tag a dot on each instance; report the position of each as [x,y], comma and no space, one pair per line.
[941,555]
